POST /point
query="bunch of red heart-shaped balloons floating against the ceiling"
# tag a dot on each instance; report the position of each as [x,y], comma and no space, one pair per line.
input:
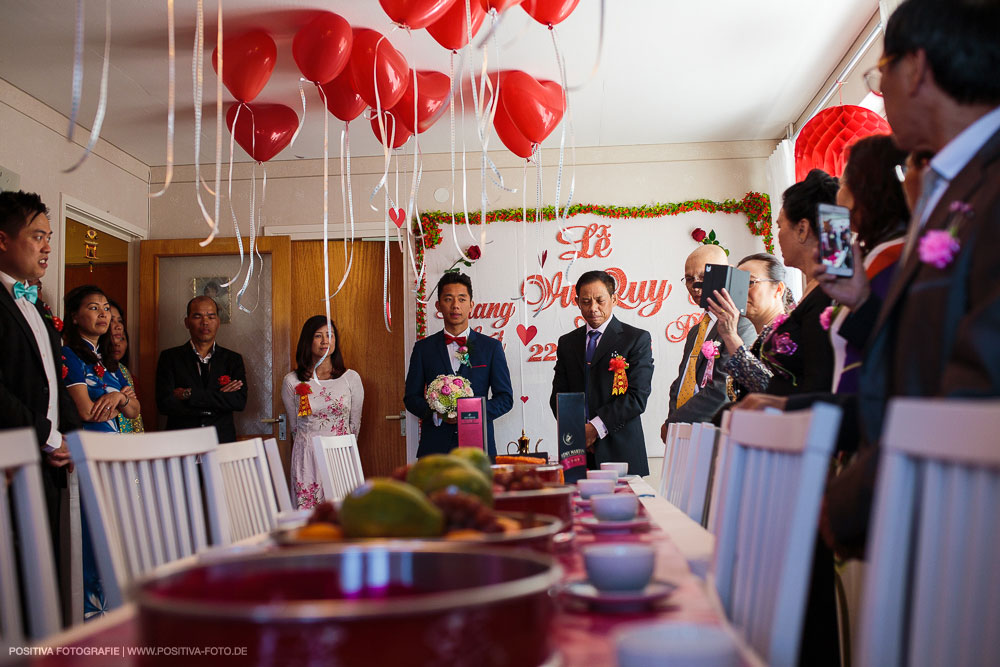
[358,68]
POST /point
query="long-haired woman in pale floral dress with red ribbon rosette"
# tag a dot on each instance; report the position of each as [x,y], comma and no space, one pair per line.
[327,404]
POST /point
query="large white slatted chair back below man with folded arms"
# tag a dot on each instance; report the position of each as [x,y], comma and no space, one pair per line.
[144,501]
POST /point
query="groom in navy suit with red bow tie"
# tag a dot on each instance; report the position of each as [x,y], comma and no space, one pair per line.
[438,355]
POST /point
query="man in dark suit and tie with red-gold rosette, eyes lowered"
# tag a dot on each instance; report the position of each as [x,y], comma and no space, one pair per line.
[583,359]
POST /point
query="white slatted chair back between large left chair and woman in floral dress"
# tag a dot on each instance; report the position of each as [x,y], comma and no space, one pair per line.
[247,487]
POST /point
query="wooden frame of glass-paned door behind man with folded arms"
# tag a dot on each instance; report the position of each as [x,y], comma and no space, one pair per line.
[151,290]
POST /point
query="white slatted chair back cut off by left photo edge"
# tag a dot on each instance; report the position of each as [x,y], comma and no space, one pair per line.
[19,453]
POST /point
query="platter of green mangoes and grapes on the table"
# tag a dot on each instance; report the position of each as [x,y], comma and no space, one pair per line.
[448,497]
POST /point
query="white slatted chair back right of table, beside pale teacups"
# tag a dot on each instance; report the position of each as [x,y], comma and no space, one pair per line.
[767,523]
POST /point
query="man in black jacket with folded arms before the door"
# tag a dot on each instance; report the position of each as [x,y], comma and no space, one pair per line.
[201,383]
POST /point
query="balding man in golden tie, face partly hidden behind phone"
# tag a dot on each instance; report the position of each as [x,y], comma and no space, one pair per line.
[689,401]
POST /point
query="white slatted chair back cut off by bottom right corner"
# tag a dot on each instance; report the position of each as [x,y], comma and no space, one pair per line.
[932,588]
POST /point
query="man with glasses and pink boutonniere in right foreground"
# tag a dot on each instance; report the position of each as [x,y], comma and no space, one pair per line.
[937,333]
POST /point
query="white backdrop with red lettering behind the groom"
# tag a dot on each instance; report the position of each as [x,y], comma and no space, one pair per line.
[646,257]
